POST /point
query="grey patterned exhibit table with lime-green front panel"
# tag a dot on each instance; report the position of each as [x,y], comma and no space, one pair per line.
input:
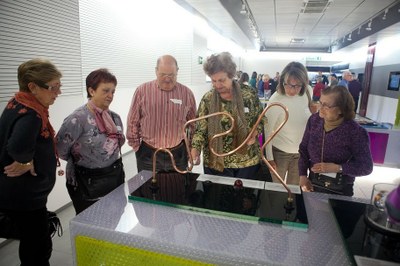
[120,231]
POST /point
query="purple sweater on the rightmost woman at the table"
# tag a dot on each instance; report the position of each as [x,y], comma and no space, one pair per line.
[347,145]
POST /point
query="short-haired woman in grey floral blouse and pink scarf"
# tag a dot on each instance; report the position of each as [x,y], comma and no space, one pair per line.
[90,140]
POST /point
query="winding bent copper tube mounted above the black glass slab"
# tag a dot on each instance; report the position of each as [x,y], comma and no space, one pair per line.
[250,135]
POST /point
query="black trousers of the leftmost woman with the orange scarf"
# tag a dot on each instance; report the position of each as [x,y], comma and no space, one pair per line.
[35,245]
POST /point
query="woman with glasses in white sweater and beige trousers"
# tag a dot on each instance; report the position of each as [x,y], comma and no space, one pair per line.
[282,151]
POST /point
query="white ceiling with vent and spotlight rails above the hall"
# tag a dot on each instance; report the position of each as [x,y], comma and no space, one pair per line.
[279,21]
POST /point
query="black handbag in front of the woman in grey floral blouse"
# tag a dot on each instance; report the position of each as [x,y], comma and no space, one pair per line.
[96,183]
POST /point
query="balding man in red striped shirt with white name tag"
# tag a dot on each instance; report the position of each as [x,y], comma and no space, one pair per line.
[158,113]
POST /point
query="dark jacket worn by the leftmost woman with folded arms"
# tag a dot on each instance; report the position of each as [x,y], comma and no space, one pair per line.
[22,139]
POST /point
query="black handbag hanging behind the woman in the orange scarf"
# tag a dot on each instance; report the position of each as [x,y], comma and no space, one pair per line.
[9,230]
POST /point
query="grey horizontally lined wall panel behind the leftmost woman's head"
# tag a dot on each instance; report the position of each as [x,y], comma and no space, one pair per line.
[45,29]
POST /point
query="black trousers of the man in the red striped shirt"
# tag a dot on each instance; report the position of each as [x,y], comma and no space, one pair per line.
[144,158]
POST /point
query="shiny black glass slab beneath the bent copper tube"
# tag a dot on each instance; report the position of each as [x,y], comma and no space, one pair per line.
[242,199]
